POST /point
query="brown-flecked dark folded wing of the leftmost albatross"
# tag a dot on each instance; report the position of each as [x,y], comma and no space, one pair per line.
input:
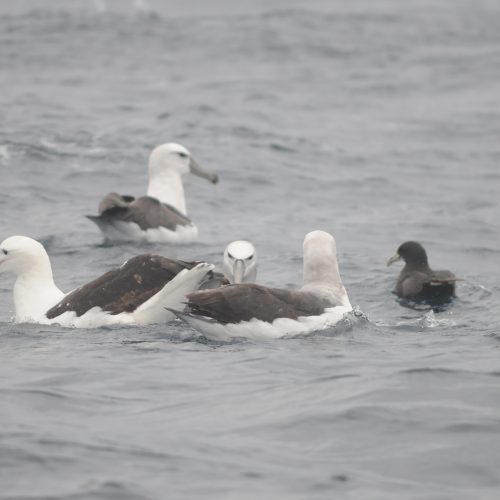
[123,289]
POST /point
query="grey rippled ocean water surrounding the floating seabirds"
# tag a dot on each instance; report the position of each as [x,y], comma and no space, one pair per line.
[376,121]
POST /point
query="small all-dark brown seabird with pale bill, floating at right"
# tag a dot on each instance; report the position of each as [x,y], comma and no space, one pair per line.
[417,281]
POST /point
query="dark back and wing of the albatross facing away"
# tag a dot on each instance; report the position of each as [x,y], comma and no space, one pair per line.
[242,302]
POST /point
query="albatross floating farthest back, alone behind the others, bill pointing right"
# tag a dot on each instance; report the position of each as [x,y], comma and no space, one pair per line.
[161,215]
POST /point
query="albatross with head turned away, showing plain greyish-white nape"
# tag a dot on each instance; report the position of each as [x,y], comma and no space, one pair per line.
[258,312]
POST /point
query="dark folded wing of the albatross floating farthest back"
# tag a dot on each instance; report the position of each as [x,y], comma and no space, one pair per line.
[146,212]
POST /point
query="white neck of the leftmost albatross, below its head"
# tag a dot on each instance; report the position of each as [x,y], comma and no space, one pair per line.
[35,292]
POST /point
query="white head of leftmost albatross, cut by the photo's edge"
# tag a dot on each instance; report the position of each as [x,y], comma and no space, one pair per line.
[21,255]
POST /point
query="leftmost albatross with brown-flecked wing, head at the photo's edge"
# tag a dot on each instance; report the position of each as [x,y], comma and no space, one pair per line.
[136,293]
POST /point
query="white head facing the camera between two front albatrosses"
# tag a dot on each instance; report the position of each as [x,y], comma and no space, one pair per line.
[240,262]
